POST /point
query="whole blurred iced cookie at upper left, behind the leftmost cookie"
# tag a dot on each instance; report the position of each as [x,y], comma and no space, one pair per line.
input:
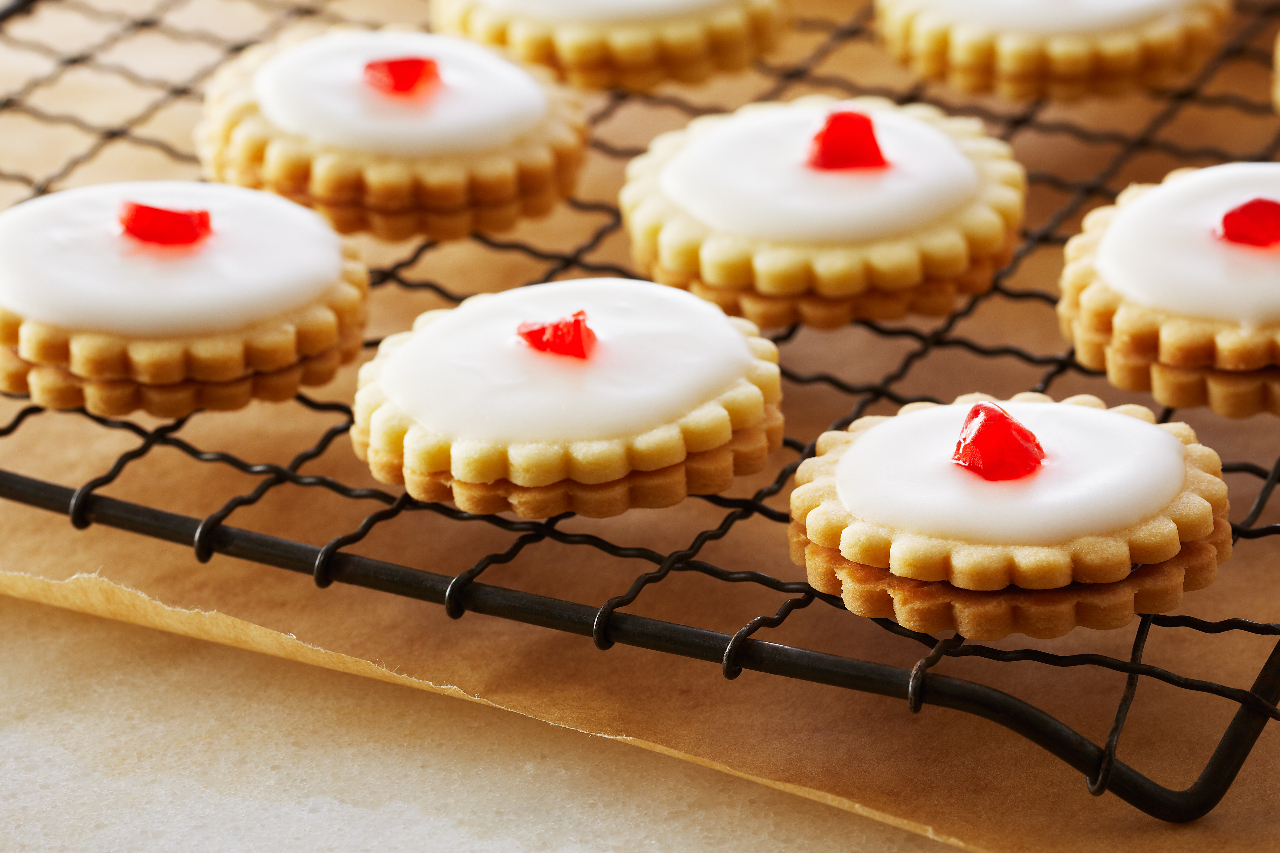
[399,134]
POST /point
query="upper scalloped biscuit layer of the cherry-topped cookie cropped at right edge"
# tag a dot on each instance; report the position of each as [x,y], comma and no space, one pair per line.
[1099,320]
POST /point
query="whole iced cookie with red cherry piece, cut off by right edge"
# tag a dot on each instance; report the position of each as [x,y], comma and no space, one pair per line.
[1172,290]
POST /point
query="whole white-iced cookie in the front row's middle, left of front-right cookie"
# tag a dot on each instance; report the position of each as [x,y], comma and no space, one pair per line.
[595,396]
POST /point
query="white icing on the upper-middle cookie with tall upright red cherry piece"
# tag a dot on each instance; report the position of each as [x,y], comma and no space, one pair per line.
[749,176]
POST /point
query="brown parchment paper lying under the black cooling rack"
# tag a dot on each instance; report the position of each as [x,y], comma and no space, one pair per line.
[943,774]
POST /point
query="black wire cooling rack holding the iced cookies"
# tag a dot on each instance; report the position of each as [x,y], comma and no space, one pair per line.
[1063,200]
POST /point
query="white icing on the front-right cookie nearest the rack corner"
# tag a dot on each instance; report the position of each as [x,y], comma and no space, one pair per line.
[1103,473]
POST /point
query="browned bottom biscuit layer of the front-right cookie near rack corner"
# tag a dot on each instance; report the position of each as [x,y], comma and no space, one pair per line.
[938,606]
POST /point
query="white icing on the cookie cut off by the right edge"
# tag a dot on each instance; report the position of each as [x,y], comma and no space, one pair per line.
[1163,250]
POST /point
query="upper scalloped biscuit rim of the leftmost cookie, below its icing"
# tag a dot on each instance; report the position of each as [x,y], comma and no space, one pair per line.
[272,344]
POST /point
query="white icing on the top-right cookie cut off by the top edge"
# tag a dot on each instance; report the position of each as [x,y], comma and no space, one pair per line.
[1049,17]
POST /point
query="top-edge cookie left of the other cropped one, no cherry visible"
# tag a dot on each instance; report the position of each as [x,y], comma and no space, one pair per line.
[621,43]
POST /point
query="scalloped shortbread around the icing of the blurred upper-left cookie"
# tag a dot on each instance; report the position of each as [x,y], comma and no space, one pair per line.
[444,197]
